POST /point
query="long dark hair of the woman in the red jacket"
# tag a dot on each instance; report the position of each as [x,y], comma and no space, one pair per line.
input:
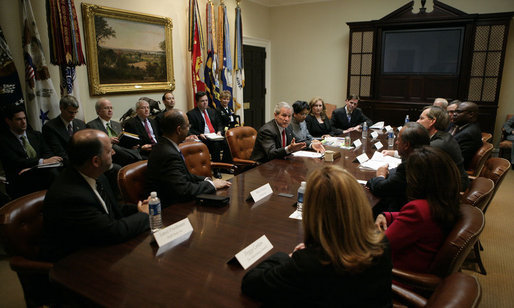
[432,175]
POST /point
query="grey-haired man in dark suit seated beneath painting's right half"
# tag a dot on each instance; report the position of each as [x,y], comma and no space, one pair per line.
[144,127]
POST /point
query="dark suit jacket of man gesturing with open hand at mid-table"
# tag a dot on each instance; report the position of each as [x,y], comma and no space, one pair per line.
[268,145]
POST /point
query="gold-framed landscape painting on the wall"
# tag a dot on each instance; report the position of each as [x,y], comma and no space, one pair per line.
[127,51]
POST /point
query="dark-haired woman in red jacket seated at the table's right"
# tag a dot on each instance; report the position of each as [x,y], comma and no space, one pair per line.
[418,230]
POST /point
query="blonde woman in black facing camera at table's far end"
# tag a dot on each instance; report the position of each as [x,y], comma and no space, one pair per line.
[317,121]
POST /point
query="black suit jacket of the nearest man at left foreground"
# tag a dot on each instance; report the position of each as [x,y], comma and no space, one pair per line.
[74,217]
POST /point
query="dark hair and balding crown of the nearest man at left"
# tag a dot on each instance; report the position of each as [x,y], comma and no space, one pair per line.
[82,149]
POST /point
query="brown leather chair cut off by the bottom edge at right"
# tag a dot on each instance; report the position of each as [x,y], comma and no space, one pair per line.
[456,290]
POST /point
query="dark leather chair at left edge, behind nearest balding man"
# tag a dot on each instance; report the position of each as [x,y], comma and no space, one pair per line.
[21,229]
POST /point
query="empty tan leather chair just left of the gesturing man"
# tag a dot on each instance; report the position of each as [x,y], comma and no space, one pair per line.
[241,141]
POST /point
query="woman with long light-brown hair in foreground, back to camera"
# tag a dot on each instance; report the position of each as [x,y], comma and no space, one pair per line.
[344,260]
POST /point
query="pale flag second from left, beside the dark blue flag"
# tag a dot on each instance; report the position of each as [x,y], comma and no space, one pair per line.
[42,102]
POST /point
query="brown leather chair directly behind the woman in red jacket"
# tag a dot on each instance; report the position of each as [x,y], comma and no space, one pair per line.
[450,256]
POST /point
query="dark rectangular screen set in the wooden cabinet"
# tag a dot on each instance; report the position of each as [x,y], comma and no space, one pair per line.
[422,51]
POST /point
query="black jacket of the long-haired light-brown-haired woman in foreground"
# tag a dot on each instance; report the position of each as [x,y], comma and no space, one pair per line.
[303,281]
